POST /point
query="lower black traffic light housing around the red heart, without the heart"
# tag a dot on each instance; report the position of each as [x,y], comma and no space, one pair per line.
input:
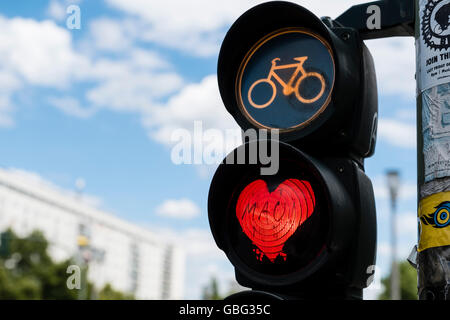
[330,252]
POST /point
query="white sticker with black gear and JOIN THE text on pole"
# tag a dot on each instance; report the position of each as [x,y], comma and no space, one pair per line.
[433,44]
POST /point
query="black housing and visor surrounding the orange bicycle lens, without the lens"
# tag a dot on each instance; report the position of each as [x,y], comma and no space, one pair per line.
[348,124]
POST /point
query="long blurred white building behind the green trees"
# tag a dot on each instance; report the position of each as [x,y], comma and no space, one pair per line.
[132,259]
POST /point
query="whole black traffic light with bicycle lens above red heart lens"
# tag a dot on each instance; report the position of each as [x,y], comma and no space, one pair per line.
[309,229]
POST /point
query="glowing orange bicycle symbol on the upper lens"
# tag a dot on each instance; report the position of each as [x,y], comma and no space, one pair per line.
[287,87]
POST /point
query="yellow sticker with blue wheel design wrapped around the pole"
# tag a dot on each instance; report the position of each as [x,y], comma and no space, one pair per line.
[434,215]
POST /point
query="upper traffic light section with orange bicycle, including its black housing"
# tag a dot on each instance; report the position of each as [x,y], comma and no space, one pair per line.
[280,67]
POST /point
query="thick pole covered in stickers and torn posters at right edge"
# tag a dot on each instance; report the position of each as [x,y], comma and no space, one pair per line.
[432,34]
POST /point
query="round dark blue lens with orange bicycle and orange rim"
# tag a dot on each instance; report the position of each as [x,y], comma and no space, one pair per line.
[286,79]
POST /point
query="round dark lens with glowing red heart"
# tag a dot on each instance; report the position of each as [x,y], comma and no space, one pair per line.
[278,224]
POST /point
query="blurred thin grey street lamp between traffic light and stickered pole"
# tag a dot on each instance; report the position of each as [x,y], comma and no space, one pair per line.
[393,181]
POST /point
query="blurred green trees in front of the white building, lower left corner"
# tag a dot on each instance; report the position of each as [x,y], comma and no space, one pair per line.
[28,272]
